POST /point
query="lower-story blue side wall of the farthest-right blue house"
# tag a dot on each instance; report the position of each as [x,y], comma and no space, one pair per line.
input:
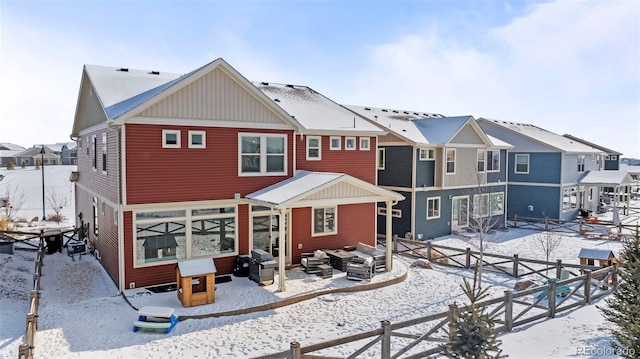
[545,201]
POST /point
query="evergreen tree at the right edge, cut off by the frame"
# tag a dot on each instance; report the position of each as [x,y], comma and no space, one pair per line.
[624,305]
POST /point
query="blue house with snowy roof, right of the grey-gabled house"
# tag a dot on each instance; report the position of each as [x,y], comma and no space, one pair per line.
[544,171]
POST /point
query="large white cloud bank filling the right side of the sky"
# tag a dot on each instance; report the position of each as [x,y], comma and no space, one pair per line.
[570,67]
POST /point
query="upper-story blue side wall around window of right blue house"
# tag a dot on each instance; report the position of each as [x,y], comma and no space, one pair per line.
[544,167]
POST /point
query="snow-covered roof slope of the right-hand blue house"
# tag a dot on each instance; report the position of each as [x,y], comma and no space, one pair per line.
[544,136]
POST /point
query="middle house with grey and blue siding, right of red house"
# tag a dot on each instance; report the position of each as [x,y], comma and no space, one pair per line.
[449,171]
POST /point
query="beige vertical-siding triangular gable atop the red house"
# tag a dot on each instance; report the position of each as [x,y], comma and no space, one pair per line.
[215,96]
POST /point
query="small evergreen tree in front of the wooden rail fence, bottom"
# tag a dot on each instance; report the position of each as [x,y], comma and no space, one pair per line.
[471,331]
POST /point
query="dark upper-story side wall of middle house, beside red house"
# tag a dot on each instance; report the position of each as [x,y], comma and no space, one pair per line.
[398,163]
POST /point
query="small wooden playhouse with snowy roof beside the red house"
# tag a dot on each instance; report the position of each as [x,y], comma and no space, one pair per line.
[196,282]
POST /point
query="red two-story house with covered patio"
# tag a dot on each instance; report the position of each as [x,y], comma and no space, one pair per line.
[205,164]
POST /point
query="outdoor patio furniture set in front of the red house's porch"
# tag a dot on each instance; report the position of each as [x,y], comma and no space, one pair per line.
[359,262]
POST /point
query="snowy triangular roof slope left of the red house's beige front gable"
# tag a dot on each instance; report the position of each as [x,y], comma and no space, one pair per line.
[121,89]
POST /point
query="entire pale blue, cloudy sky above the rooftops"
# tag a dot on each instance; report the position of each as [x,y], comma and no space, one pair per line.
[567,66]
